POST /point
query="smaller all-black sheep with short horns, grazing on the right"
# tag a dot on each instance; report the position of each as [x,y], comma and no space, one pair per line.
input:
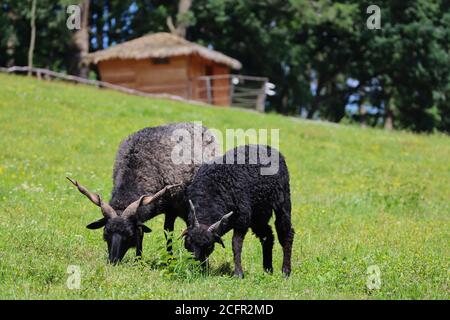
[237,196]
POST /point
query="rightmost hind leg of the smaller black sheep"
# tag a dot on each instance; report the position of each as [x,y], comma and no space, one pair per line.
[285,234]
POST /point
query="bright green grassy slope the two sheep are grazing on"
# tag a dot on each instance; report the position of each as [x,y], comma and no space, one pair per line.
[360,197]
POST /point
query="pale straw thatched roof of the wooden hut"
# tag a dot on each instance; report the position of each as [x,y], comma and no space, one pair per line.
[159,45]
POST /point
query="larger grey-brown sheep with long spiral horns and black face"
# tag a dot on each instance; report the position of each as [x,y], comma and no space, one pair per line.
[148,182]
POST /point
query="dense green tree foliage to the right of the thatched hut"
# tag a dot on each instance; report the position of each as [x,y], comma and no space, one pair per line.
[404,67]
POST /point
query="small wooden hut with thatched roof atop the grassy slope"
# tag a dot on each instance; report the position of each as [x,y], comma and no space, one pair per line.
[166,63]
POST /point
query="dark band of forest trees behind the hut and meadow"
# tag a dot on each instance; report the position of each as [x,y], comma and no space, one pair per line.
[325,62]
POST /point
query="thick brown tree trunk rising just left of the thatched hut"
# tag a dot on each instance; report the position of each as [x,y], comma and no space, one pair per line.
[80,43]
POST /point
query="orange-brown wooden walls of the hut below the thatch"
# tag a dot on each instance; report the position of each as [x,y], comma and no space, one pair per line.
[175,75]
